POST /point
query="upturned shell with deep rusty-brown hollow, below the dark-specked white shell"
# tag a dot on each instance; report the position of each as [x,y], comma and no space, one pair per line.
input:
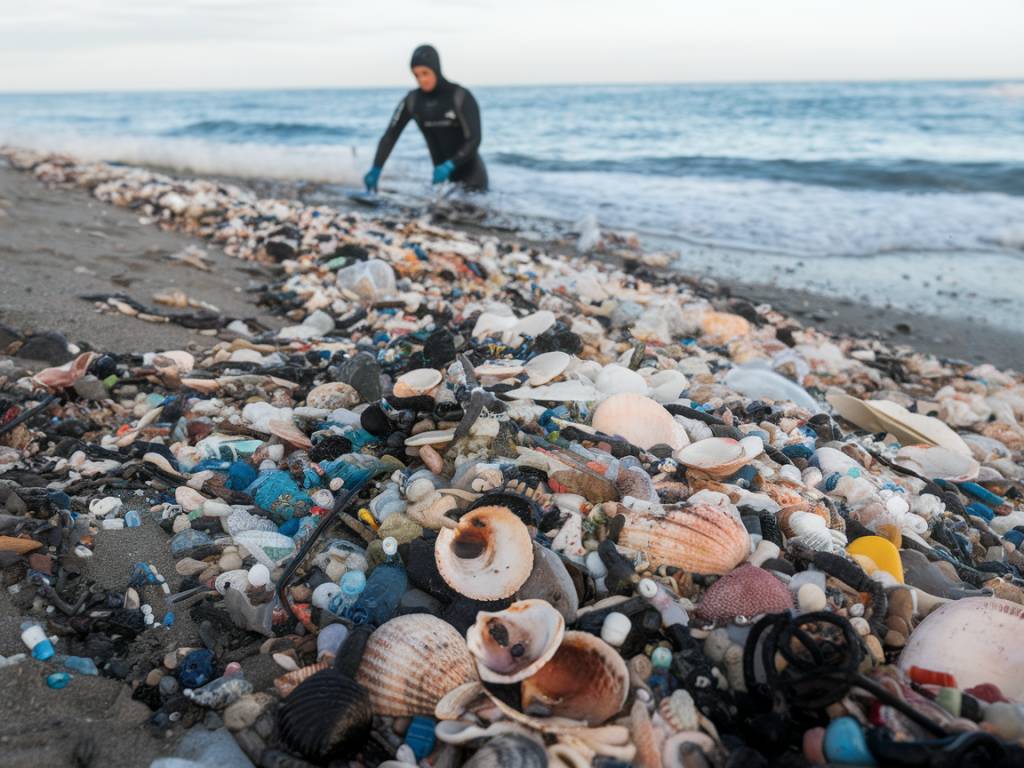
[586,680]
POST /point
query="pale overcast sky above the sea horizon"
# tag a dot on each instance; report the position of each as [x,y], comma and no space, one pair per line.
[192,45]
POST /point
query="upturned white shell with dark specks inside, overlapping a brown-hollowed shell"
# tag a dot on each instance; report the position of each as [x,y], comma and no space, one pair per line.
[510,646]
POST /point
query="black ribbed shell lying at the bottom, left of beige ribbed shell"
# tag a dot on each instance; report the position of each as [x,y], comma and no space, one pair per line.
[326,716]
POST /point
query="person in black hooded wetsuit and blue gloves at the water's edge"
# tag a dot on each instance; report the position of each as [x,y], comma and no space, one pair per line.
[448,117]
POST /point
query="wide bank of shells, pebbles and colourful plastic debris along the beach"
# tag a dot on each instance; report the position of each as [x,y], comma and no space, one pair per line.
[483,504]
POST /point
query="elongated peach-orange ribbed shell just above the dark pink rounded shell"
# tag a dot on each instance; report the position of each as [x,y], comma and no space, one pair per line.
[698,538]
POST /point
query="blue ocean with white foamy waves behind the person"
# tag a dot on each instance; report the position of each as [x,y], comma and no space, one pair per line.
[865,190]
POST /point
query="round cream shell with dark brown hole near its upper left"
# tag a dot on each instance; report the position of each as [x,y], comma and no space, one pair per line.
[488,557]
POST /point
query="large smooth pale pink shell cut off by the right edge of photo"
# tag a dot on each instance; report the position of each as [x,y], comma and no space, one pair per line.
[976,641]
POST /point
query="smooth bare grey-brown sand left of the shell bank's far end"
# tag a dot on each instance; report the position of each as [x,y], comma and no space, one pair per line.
[59,244]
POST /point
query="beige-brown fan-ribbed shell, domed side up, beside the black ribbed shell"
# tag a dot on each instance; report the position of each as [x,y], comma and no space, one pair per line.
[411,663]
